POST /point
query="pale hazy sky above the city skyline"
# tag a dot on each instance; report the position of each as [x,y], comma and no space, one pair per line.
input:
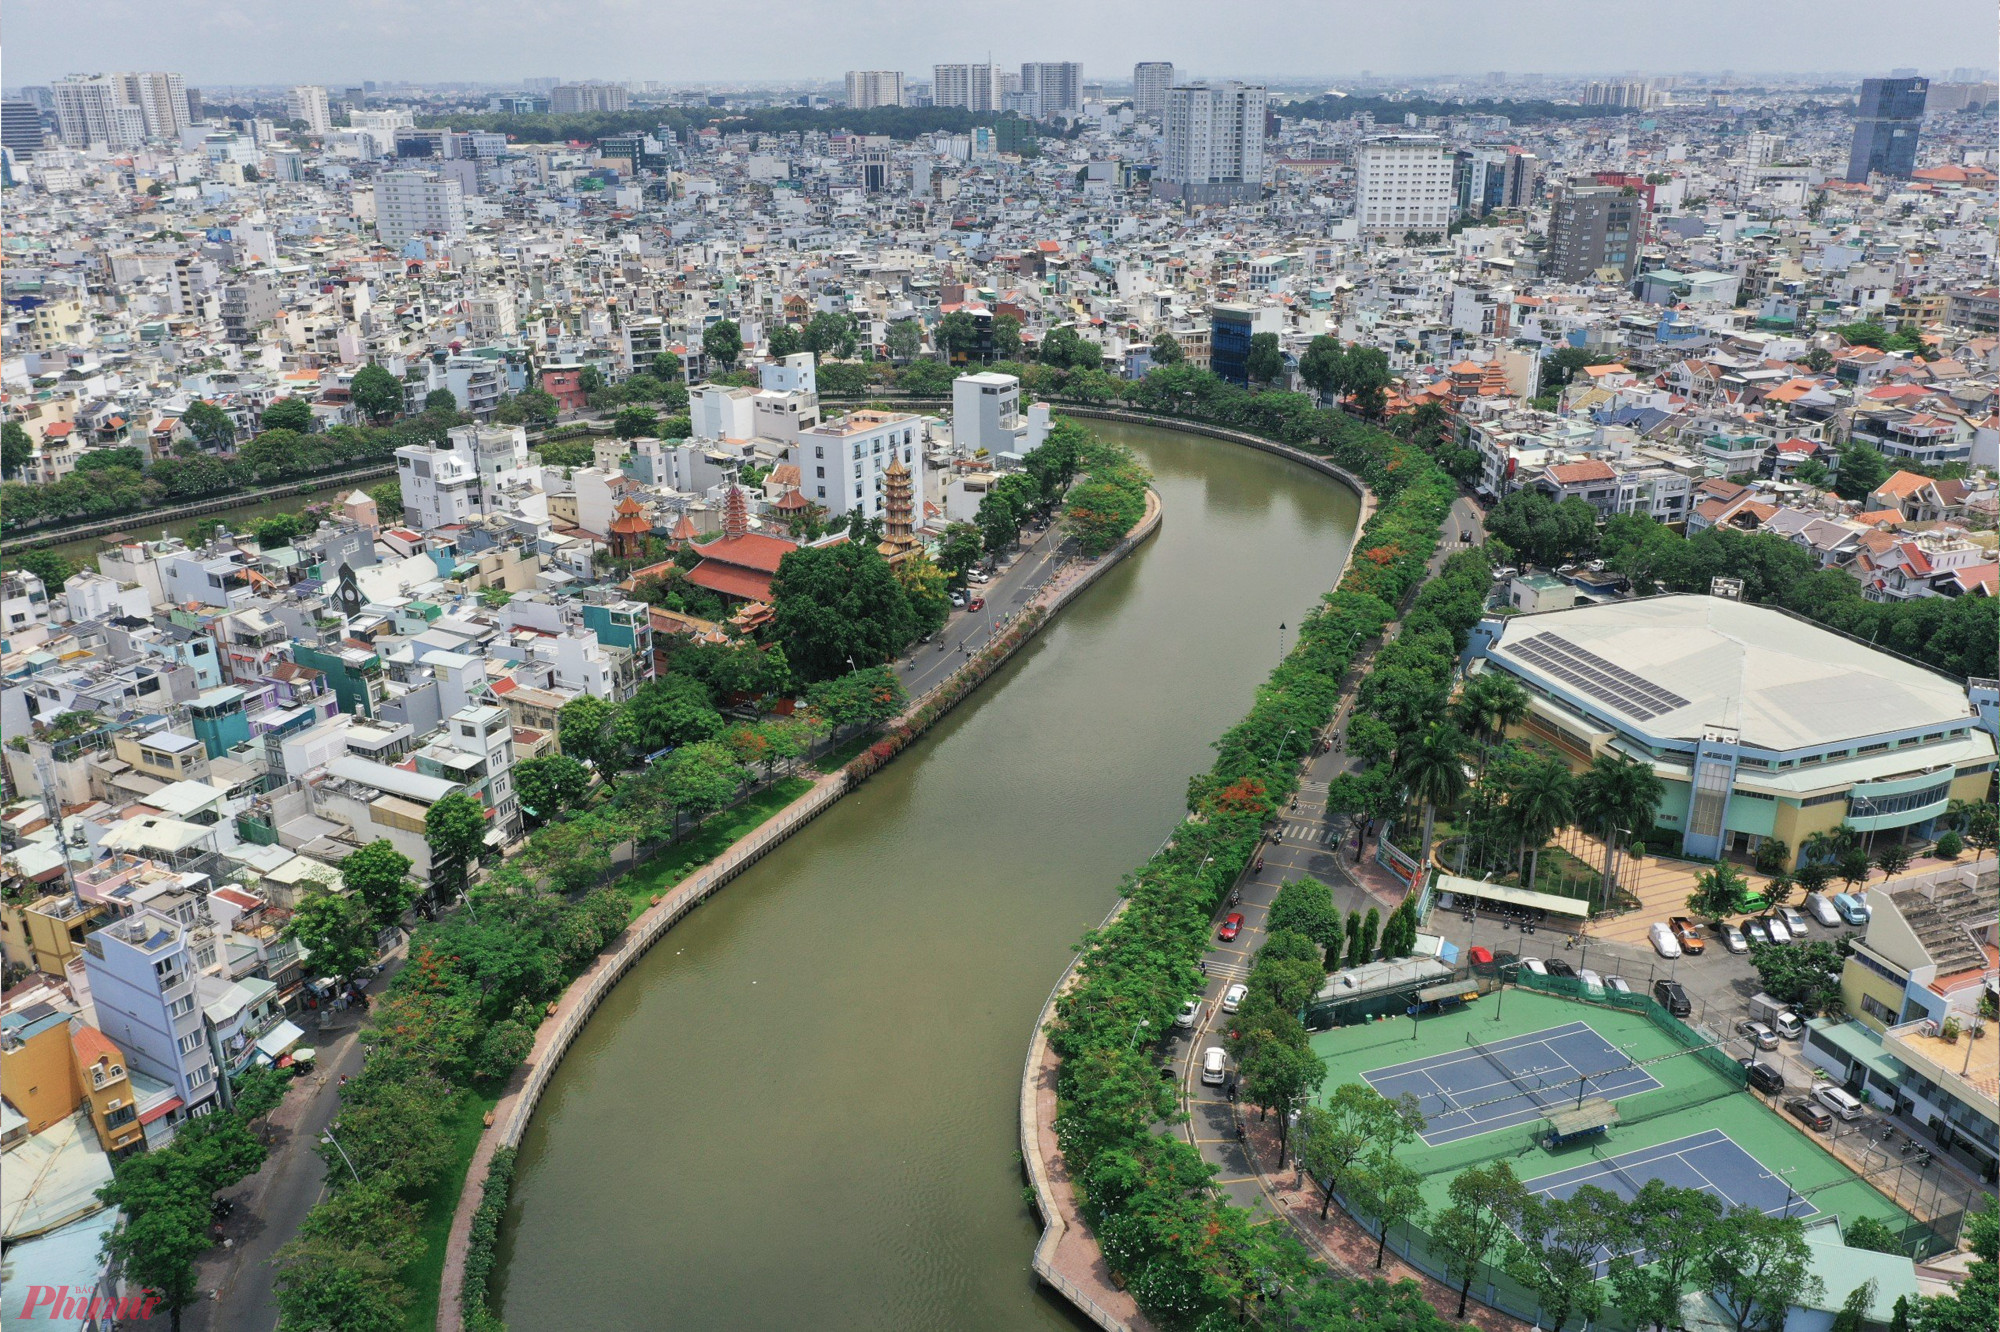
[219,43]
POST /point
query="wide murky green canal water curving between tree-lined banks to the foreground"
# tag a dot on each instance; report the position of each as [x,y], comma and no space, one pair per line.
[801,1109]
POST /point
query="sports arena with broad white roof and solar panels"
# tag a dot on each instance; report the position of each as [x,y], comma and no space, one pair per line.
[1759,723]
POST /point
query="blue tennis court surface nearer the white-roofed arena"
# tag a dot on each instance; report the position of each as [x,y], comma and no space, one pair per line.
[1515,1081]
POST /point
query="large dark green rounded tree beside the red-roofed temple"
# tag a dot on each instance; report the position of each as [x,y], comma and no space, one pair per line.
[839,609]
